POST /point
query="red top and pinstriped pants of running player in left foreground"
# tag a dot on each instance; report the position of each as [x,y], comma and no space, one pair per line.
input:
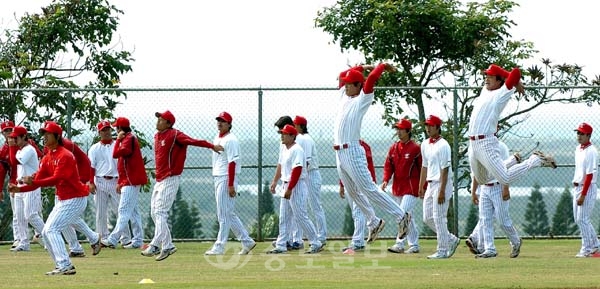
[58,168]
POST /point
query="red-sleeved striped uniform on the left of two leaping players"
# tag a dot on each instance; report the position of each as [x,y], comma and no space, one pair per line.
[350,158]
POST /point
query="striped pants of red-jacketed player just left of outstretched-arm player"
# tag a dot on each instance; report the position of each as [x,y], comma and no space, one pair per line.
[128,211]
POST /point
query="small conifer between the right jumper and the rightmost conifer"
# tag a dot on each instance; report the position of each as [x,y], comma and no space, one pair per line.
[536,215]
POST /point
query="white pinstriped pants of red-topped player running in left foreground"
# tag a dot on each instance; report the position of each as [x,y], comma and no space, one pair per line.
[65,214]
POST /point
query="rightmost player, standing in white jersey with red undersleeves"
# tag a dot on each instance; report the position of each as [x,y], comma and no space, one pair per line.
[585,189]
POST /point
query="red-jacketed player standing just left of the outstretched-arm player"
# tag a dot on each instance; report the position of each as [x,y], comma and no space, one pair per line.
[132,176]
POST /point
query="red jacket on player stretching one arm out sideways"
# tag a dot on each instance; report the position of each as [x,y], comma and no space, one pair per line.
[170,149]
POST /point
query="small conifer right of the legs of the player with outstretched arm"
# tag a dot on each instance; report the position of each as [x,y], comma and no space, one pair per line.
[184,219]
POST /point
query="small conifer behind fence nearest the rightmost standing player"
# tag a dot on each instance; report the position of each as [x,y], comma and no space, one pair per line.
[563,223]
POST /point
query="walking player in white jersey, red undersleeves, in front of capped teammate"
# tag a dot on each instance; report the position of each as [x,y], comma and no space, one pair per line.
[293,203]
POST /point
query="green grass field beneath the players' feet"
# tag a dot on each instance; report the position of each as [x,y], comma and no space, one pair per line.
[542,264]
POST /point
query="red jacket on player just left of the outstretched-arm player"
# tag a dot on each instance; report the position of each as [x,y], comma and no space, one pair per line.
[130,164]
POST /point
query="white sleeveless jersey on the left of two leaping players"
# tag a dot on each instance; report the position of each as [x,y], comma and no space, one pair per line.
[350,115]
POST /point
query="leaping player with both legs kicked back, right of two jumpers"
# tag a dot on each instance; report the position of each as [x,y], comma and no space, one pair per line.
[483,155]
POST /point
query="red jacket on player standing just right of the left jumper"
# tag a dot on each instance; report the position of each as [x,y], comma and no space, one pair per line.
[404,163]
